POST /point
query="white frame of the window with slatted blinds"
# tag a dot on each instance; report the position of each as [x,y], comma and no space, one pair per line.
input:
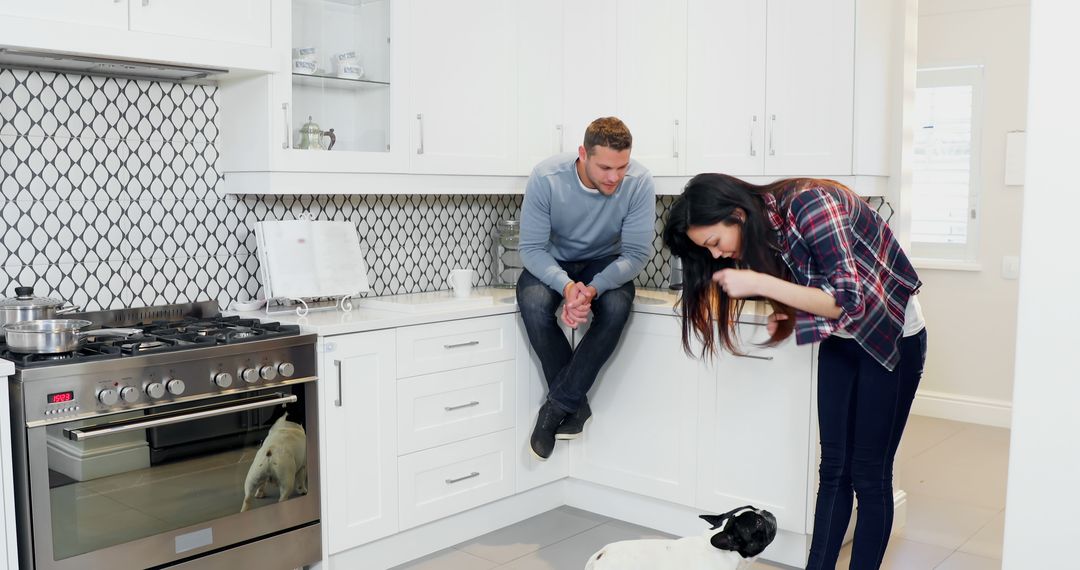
[966,256]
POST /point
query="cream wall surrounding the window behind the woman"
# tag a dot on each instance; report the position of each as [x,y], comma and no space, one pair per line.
[971,316]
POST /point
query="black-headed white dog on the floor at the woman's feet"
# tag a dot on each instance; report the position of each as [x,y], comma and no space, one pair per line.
[736,537]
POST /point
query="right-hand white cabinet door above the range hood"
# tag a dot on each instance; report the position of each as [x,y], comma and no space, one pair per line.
[237,21]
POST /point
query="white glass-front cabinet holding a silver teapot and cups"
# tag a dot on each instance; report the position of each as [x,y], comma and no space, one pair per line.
[334,106]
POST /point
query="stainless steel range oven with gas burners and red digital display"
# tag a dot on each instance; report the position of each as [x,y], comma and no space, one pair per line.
[134,452]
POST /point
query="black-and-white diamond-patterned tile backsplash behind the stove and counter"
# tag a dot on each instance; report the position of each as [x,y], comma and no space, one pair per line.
[110,198]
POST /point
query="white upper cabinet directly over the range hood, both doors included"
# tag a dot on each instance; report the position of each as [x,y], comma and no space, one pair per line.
[234,35]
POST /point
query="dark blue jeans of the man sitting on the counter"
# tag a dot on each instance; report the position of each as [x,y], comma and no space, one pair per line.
[572,373]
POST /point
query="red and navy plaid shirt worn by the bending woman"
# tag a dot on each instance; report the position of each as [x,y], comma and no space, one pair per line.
[832,240]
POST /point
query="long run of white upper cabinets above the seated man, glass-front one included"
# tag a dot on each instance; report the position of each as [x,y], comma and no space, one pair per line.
[491,88]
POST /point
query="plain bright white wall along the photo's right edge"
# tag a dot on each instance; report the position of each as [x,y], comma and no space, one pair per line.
[1042,525]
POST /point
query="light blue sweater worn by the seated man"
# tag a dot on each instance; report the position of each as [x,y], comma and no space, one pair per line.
[563,221]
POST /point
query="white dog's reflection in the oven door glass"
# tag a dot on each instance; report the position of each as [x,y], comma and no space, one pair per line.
[282,460]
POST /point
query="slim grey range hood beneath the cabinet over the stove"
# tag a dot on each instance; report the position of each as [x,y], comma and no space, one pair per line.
[66,63]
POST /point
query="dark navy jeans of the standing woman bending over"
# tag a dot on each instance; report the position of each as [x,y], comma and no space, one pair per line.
[862,410]
